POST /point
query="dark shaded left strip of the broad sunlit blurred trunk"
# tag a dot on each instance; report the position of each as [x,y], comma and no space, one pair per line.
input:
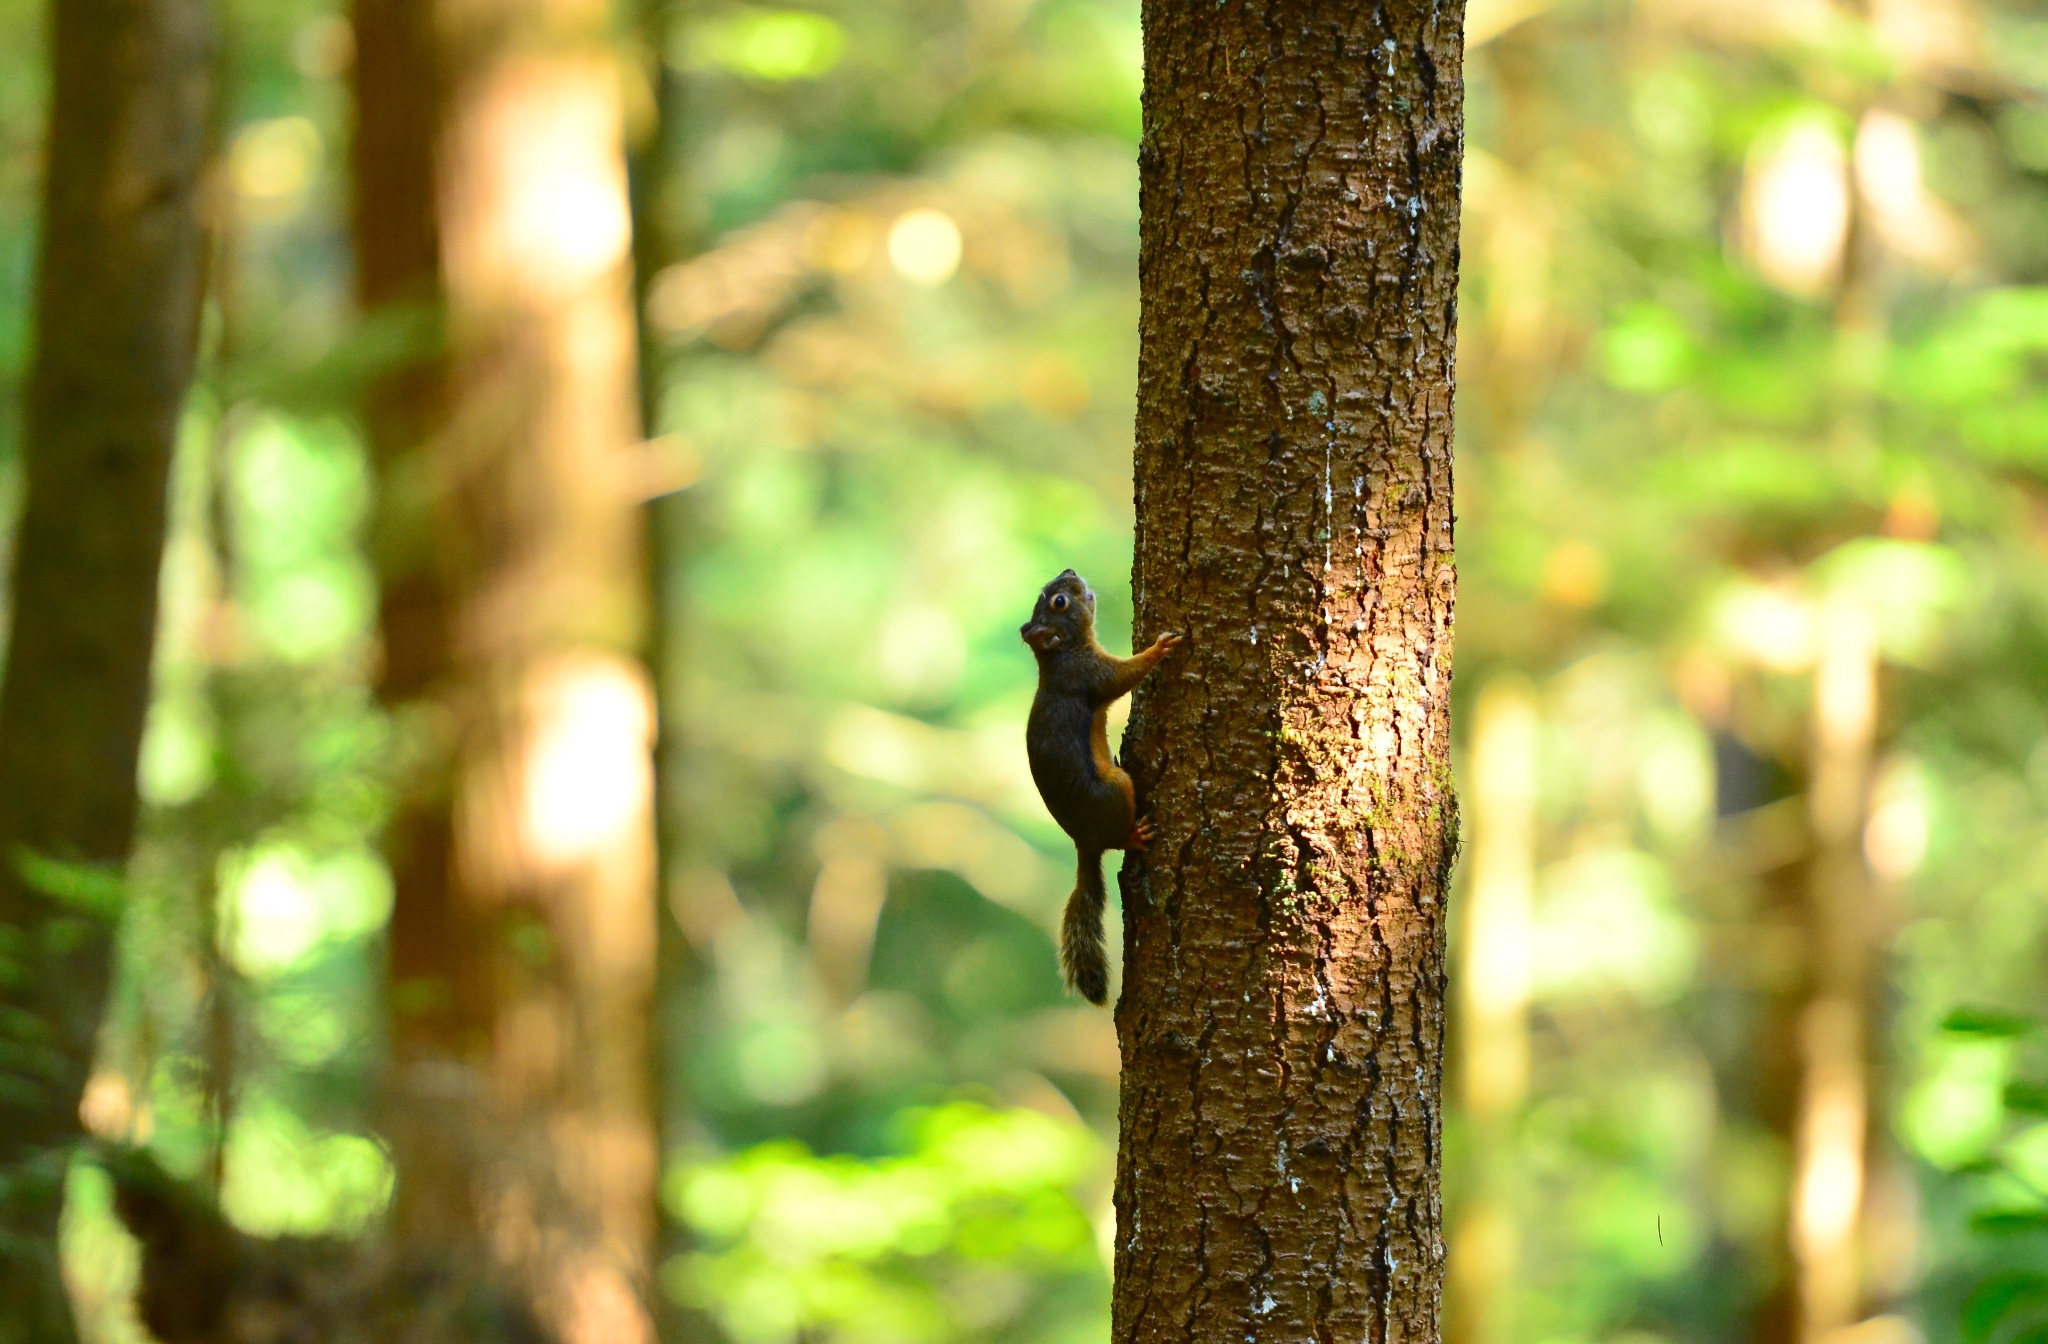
[437,993]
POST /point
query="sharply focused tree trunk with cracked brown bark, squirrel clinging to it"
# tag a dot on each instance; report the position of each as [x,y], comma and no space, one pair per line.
[1283,1009]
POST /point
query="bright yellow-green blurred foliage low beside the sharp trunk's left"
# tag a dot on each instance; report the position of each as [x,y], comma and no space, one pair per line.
[974,1232]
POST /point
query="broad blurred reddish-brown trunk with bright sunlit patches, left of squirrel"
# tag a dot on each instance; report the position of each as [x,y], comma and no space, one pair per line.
[493,194]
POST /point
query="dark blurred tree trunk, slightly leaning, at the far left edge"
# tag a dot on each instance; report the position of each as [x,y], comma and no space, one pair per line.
[118,319]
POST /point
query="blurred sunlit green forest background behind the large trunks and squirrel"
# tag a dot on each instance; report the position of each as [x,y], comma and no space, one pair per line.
[1754,507]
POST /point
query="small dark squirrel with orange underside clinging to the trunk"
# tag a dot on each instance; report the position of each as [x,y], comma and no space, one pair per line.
[1070,759]
